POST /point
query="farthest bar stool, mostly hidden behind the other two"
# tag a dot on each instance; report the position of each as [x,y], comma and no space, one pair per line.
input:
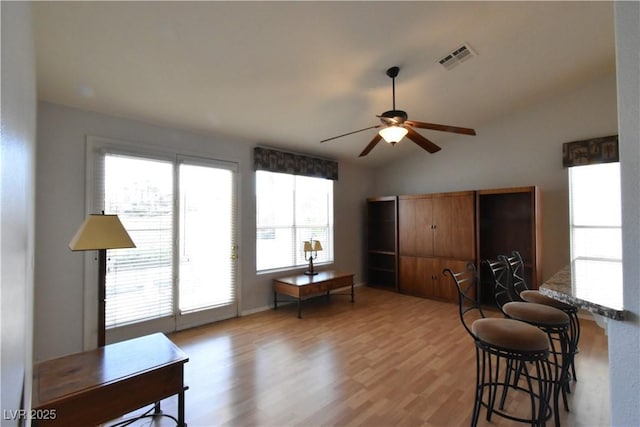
[525,293]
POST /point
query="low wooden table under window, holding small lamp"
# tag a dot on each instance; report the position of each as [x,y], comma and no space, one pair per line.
[303,286]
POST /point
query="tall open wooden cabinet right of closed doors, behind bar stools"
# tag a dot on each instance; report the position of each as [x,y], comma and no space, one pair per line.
[509,219]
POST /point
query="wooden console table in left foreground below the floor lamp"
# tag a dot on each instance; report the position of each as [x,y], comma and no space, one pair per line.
[96,386]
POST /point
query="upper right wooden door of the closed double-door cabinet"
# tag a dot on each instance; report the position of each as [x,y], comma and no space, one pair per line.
[454,218]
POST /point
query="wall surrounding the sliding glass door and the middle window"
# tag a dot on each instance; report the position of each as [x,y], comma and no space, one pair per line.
[61,314]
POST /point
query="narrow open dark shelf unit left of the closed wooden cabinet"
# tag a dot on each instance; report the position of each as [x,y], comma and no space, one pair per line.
[382,242]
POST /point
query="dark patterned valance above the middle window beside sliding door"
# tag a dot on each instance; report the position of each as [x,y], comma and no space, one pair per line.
[296,164]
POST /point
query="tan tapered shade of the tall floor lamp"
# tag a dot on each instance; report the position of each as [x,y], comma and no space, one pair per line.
[101,232]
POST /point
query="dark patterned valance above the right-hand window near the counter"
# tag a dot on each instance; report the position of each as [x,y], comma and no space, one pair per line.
[590,151]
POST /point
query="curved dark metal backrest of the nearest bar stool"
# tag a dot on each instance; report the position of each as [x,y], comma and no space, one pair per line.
[466,283]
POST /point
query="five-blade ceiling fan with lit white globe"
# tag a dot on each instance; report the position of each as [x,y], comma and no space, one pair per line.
[395,126]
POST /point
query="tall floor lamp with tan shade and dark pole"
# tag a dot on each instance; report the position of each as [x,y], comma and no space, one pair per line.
[101,232]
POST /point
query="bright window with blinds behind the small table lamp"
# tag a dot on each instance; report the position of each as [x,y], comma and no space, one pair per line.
[289,210]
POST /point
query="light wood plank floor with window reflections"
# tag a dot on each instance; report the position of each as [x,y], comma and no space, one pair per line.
[387,360]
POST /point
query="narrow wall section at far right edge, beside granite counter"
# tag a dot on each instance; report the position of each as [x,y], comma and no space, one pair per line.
[624,337]
